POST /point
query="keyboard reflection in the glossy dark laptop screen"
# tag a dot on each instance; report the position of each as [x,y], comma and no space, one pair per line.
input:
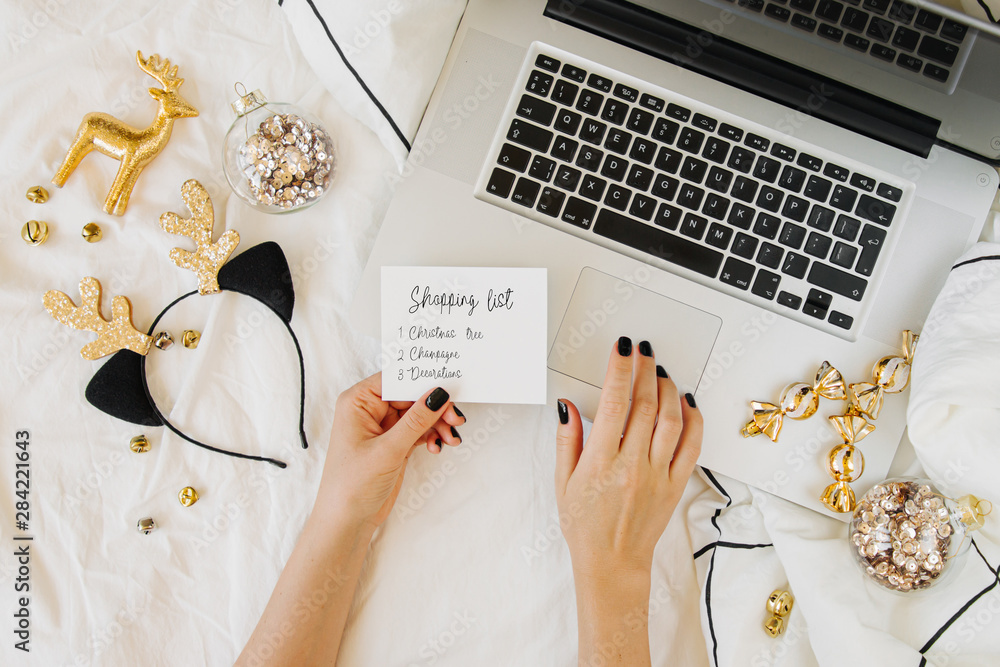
[895,36]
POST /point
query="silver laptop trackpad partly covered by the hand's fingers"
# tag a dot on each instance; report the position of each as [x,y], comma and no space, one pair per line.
[604,307]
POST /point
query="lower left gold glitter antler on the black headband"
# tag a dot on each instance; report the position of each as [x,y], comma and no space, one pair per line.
[114,335]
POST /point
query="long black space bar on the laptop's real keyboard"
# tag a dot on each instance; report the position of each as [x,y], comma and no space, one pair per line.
[668,247]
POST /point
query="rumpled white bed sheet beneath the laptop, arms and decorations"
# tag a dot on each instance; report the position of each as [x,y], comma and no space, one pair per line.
[471,568]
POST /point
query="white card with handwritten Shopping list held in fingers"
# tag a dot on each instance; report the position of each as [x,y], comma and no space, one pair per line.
[480,333]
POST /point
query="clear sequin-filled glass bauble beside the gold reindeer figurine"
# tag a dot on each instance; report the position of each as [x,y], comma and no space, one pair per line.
[276,157]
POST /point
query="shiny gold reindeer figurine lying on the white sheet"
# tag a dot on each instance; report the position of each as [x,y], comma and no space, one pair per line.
[132,147]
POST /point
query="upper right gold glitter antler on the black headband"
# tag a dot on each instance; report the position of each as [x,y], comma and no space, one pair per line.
[206,261]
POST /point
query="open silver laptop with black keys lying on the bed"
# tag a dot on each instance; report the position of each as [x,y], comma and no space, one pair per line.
[746,200]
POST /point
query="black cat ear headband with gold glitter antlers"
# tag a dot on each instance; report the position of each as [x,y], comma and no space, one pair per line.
[119,388]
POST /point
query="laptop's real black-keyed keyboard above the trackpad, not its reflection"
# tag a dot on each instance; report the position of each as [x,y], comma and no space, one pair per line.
[747,210]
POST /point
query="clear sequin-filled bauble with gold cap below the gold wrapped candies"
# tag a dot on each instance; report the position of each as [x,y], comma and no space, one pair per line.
[905,534]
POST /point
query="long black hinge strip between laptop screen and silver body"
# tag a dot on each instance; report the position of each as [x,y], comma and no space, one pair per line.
[755,72]
